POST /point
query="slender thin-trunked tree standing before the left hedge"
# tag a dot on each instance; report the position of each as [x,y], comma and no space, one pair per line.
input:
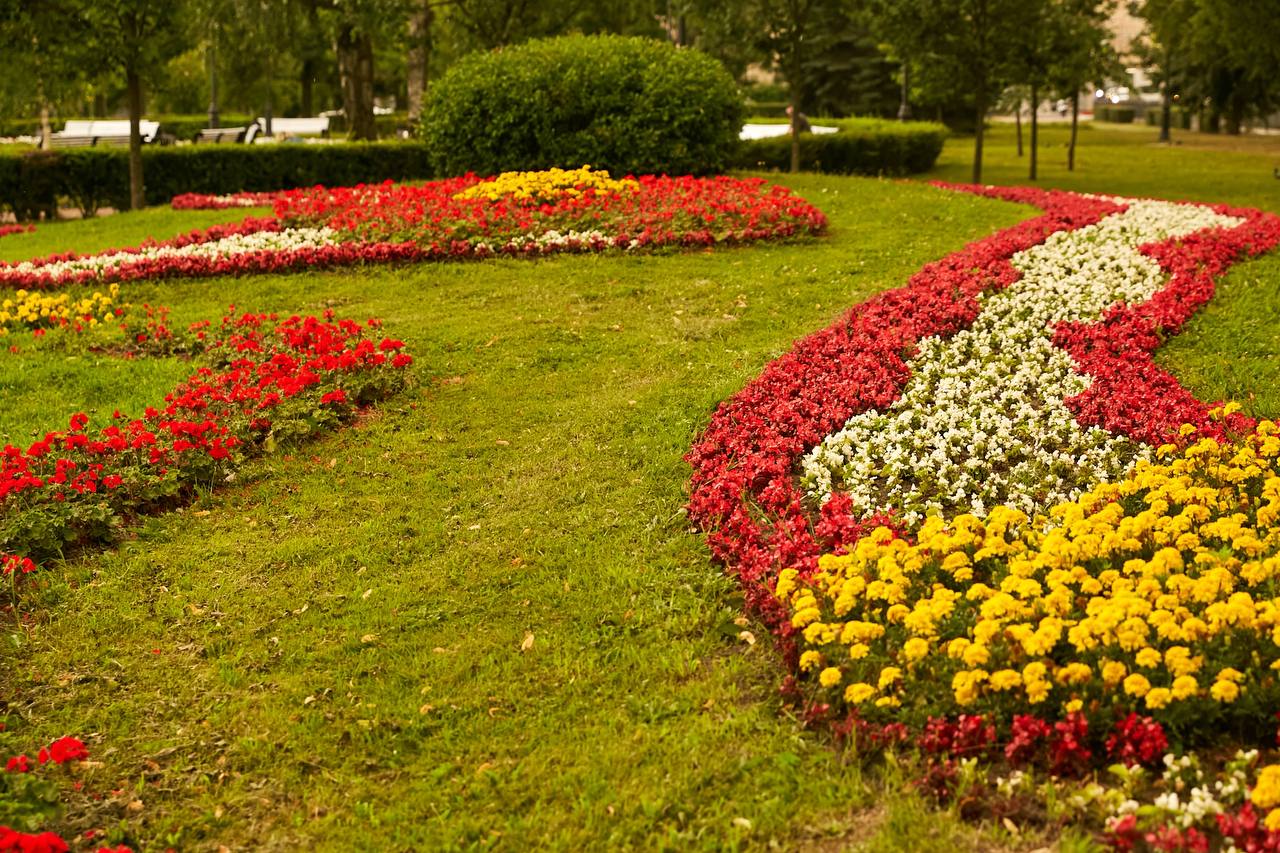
[139,37]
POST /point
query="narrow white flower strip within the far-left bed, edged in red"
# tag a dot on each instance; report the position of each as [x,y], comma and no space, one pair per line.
[278,241]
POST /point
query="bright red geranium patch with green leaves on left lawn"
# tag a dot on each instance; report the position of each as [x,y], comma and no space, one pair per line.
[266,378]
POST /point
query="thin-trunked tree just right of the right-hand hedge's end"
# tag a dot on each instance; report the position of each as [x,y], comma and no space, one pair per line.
[959,44]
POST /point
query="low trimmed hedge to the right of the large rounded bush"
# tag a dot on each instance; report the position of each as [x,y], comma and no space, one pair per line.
[862,147]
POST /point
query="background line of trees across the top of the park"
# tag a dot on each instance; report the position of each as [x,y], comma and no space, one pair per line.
[947,60]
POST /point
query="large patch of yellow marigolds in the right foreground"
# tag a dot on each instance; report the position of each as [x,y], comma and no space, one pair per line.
[1159,594]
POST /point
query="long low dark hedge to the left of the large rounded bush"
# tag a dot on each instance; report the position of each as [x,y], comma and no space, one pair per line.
[90,179]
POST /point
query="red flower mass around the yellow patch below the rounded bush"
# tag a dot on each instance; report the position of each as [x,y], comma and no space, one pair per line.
[662,212]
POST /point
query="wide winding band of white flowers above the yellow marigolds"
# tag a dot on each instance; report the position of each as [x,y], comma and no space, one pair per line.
[984,421]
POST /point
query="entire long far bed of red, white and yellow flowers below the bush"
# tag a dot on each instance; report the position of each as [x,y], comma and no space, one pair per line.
[523,215]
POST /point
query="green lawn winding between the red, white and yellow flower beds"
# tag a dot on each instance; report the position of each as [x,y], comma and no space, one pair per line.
[336,654]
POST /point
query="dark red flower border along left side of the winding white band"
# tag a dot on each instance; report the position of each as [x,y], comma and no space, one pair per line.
[744,494]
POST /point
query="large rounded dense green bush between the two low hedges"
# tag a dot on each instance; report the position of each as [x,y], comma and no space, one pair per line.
[629,106]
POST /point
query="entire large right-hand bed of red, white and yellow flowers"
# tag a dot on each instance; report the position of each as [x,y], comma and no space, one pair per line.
[941,489]
